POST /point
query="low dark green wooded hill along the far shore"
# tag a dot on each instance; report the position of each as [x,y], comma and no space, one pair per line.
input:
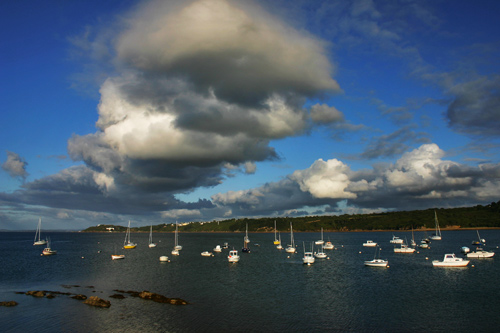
[467,217]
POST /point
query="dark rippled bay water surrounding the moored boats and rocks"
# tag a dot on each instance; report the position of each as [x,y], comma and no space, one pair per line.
[267,291]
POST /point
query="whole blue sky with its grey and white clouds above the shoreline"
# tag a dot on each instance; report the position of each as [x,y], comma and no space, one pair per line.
[165,111]
